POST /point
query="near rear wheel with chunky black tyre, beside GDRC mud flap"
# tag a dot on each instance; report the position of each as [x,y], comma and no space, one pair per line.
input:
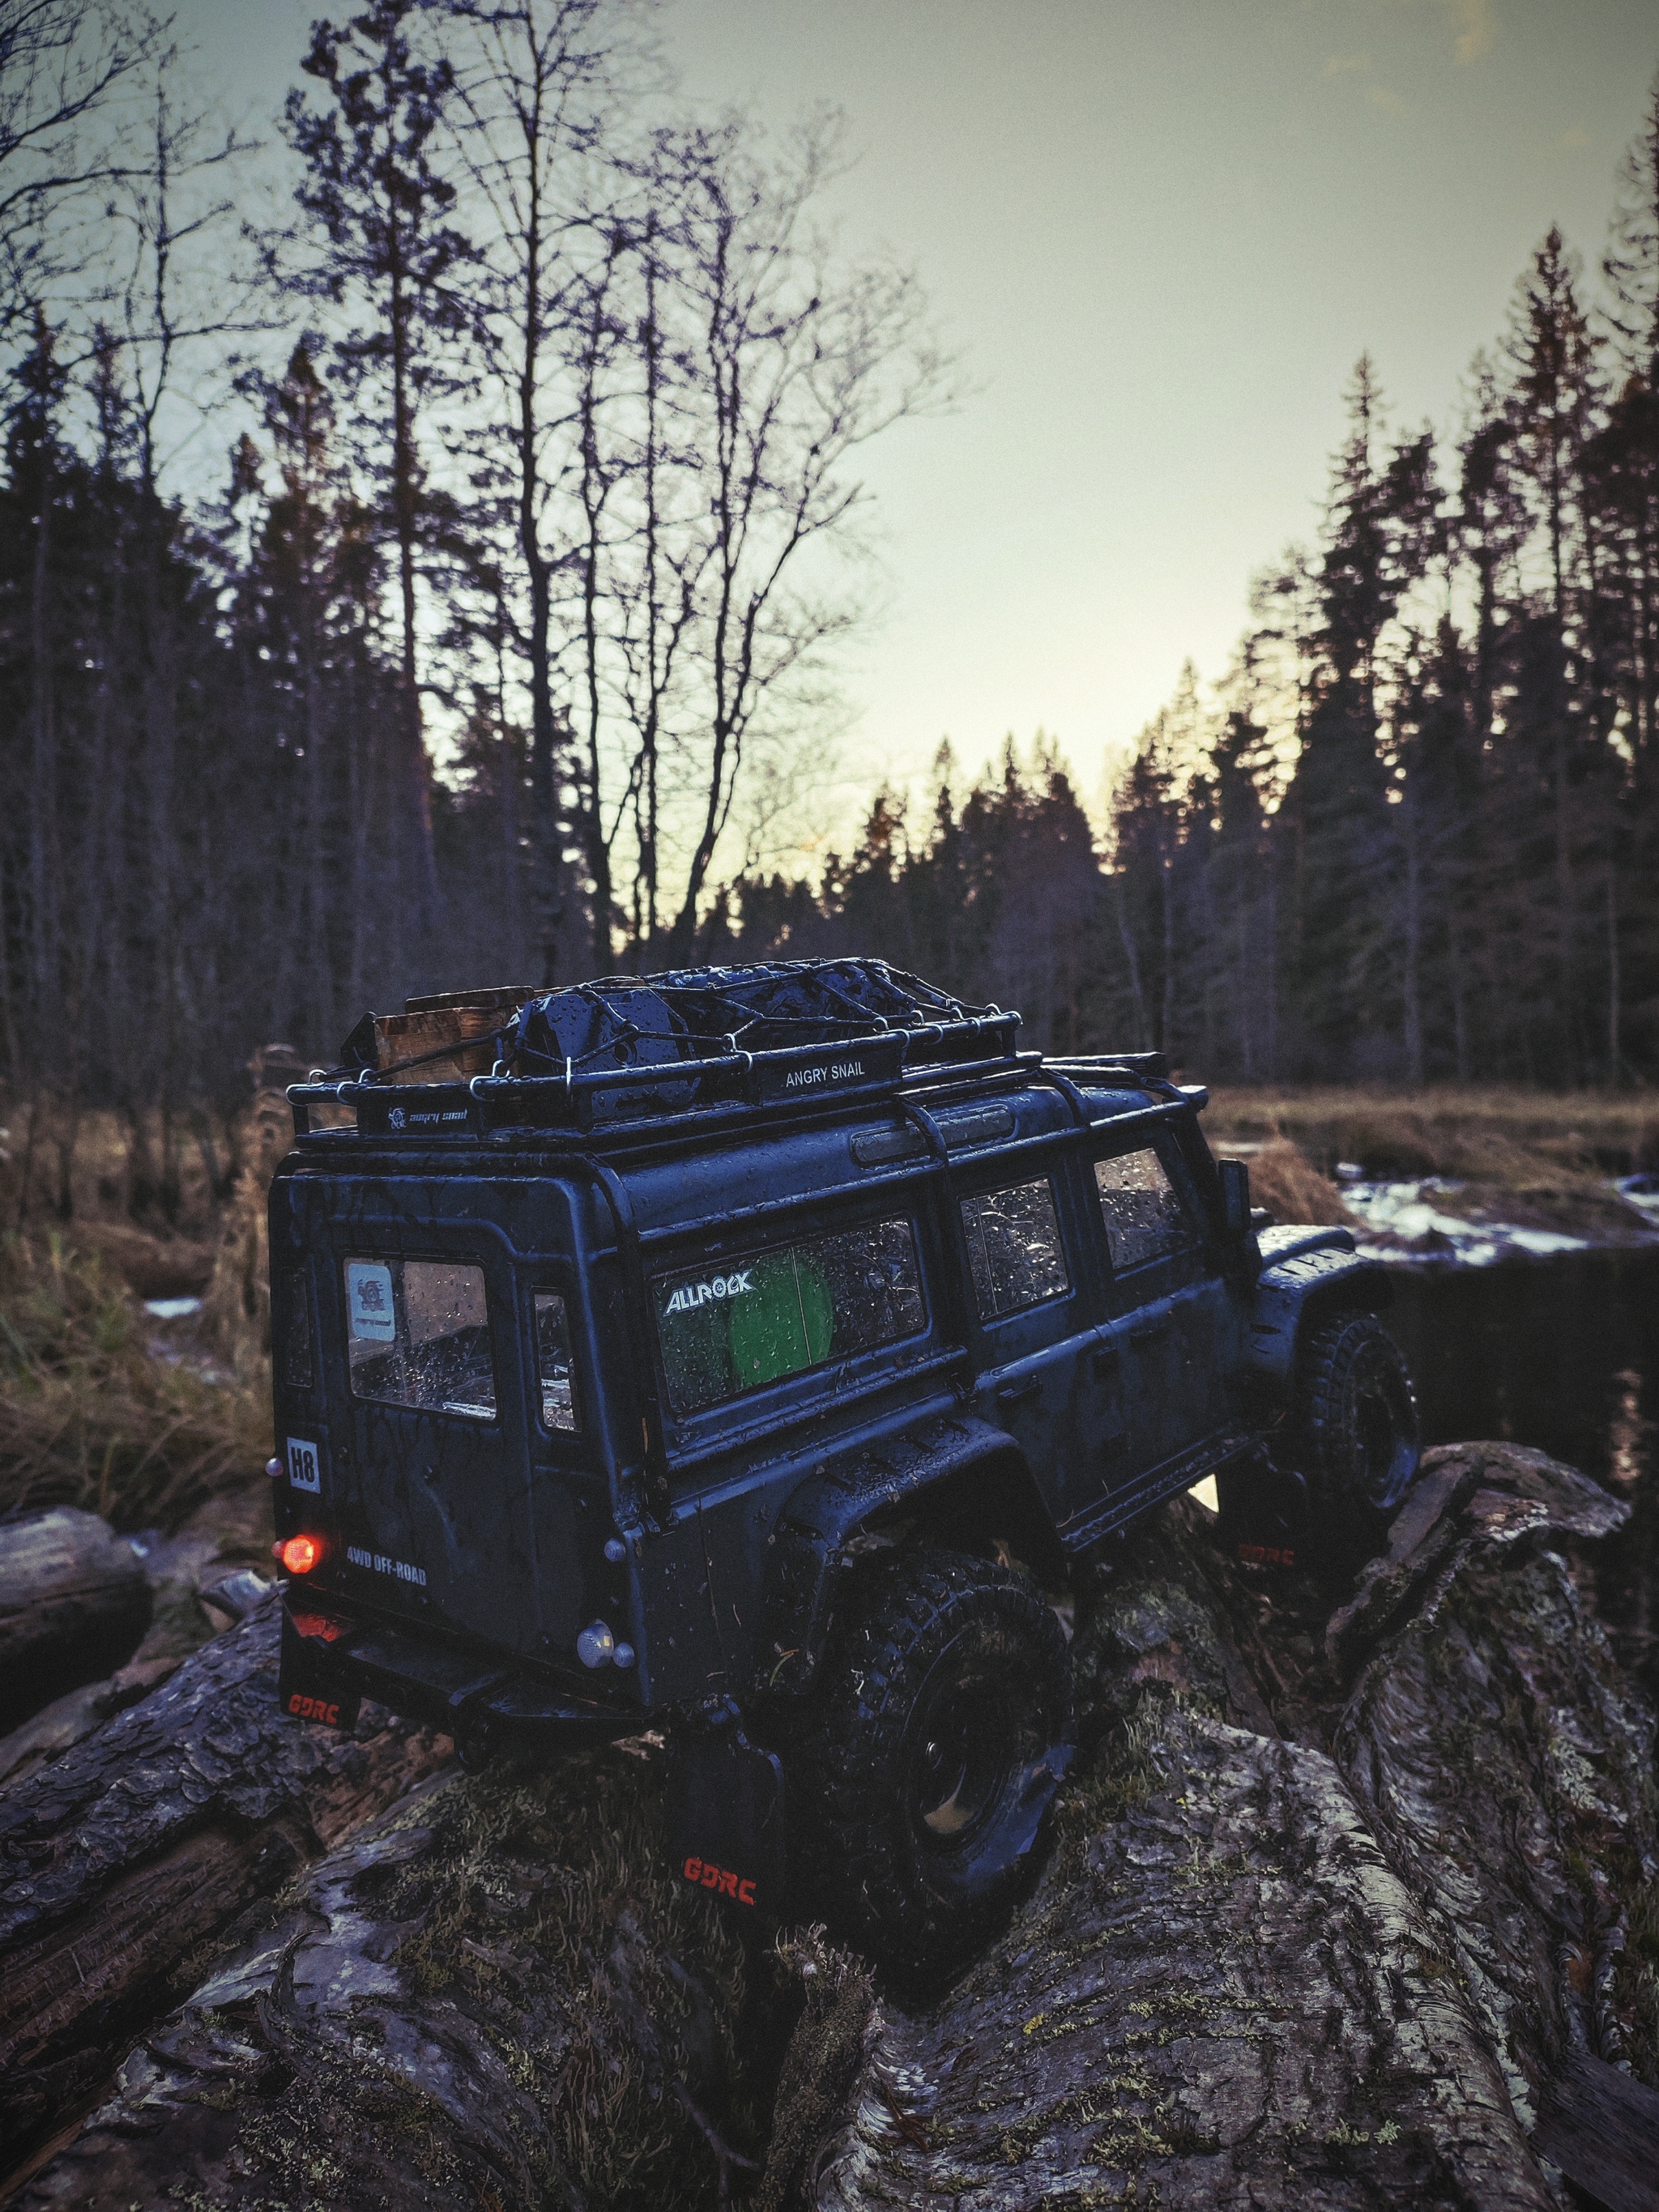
[935,1751]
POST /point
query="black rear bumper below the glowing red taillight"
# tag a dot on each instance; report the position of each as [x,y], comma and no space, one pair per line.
[342,1658]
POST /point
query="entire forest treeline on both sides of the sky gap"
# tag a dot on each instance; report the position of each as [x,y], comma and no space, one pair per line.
[499,640]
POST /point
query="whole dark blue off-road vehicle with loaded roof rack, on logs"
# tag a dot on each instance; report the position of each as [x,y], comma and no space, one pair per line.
[612,1381]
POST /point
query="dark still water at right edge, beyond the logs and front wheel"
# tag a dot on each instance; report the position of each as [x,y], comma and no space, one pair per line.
[1561,1355]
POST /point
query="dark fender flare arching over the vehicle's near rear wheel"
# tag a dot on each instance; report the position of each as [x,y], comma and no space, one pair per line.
[963,1472]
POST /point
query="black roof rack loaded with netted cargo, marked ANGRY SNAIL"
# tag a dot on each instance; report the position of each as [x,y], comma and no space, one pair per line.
[632,1054]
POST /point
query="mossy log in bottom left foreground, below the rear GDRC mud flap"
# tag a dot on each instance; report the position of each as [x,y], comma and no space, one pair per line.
[492,1996]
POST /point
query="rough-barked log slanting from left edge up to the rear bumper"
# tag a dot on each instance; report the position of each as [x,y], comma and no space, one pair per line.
[145,1841]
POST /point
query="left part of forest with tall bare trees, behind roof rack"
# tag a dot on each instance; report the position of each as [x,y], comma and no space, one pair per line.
[492,643]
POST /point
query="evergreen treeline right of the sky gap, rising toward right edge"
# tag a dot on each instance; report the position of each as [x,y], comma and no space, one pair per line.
[1415,833]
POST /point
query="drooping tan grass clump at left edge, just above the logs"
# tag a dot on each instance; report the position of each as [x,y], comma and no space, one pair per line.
[92,1417]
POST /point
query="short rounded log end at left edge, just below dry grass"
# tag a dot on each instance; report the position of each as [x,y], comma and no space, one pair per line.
[74,1605]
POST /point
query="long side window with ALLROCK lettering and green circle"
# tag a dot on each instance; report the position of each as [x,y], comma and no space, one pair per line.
[738,1324]
